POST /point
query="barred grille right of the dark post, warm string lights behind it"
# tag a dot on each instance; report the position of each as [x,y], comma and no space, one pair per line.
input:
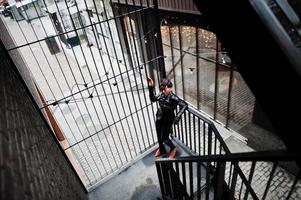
[204,75]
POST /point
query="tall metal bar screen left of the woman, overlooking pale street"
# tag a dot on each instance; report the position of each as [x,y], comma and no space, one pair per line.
[94,88]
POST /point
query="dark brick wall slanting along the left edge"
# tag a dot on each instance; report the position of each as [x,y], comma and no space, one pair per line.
[31,162]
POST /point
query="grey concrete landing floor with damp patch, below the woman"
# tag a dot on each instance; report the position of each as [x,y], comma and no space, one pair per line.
[138,182]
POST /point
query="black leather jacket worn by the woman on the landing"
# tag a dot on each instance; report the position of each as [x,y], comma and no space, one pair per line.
[168,104]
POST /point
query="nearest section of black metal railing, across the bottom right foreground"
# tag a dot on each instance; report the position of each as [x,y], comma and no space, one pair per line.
[196,178]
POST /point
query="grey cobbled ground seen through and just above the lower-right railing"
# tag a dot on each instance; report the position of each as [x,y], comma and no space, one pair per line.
[280,184]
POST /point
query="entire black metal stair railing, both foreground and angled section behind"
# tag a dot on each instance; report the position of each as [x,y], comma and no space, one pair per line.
[215,173]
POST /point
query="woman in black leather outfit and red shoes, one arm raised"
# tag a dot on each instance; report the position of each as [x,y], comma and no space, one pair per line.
[165,116]
